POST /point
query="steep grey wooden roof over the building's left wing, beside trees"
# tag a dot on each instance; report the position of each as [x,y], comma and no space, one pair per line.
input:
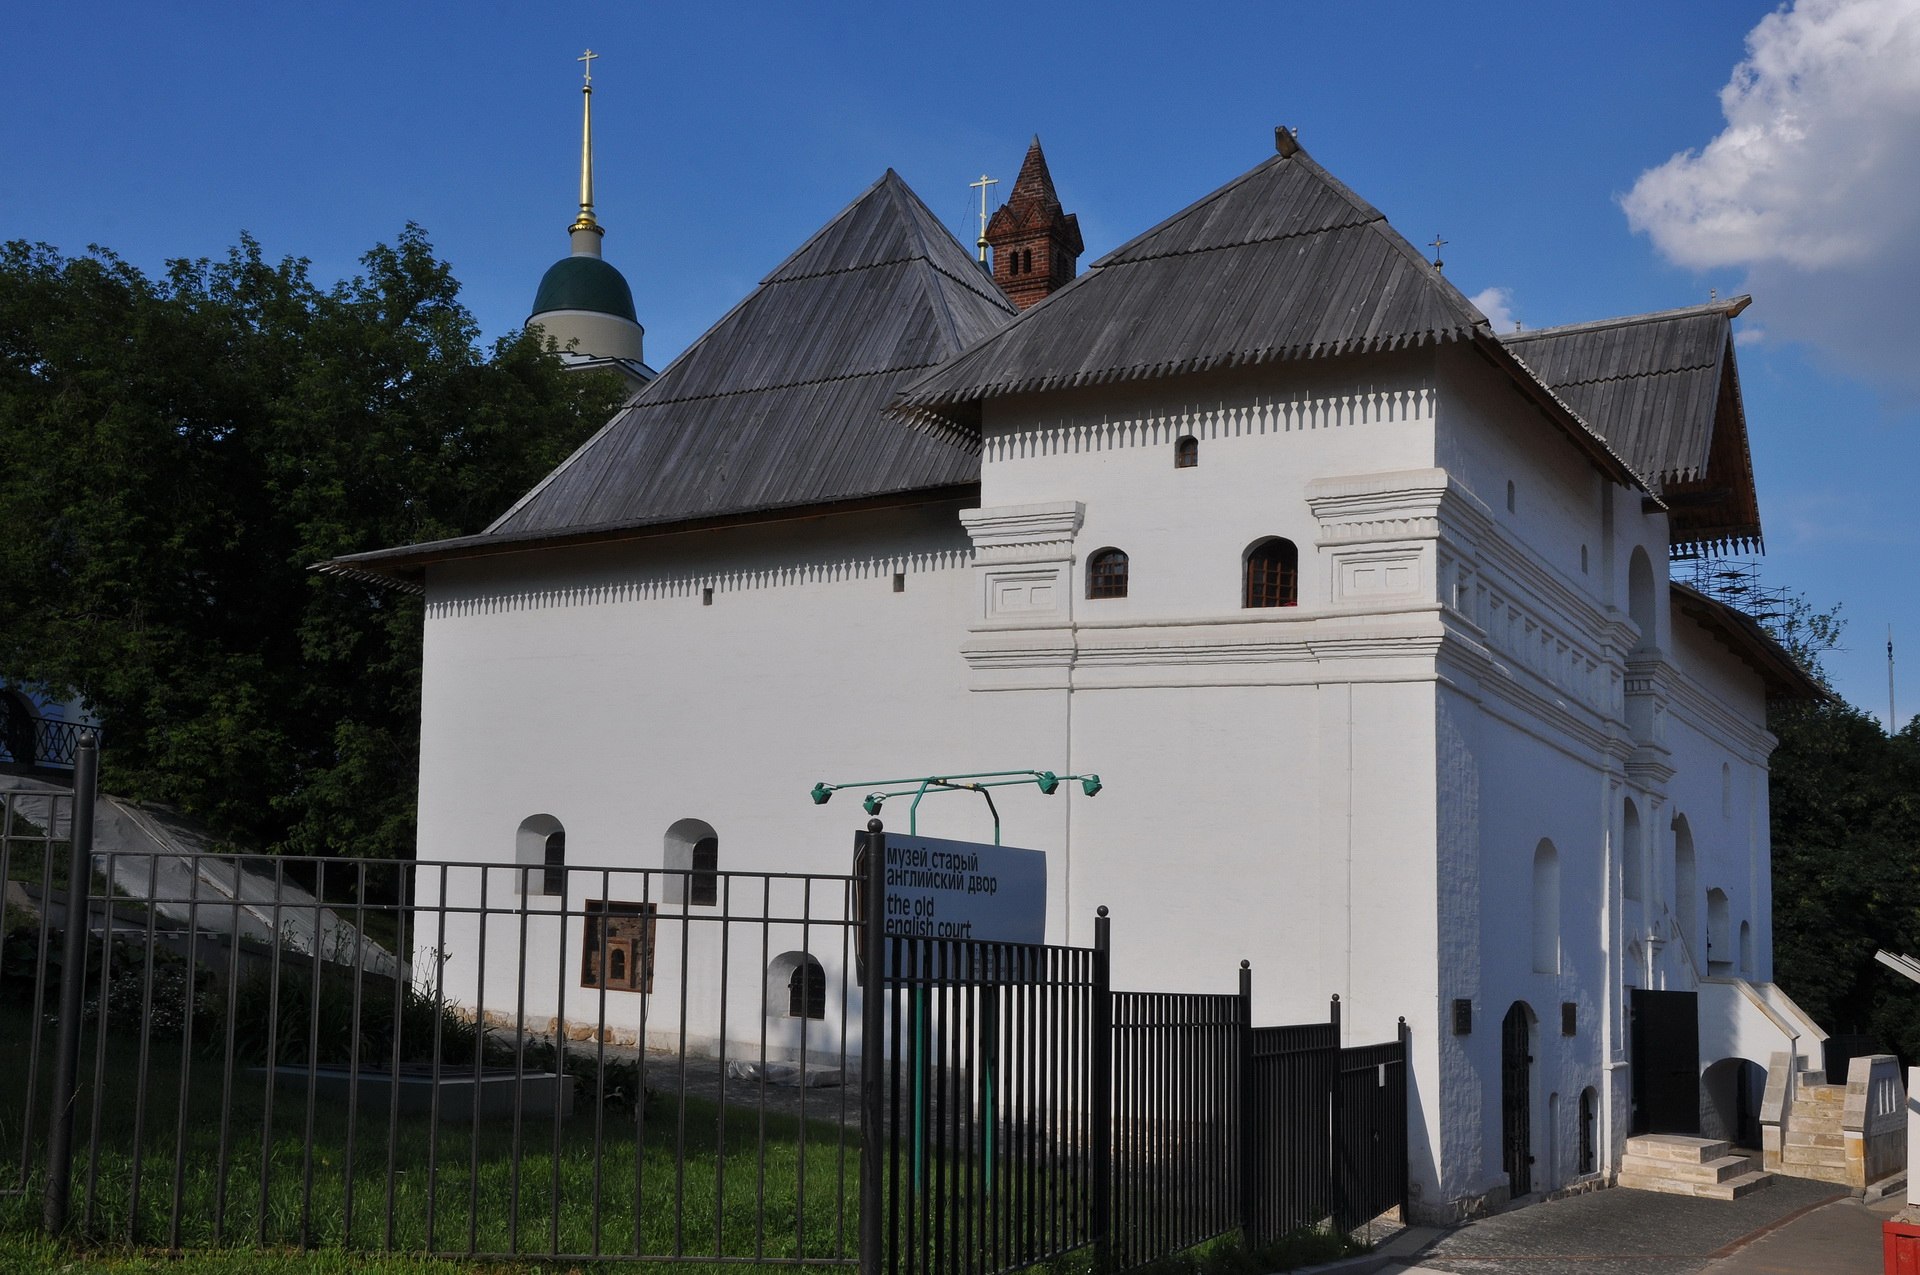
[780,404]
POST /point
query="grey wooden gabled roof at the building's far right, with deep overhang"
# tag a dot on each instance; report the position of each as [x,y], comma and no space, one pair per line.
[1664,391]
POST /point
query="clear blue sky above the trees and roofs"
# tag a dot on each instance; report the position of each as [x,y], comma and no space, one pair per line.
[1522,133]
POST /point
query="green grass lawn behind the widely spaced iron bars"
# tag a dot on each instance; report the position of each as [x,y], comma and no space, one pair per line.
[679,1182]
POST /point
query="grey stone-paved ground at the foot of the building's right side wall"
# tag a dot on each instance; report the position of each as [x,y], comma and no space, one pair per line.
[1623,1234]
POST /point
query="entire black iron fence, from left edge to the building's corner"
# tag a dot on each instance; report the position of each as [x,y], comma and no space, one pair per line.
[471,1059]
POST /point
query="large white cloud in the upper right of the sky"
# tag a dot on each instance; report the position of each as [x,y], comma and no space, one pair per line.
[1813,185]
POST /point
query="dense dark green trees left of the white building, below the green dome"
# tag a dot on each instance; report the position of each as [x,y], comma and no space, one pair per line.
[178,454]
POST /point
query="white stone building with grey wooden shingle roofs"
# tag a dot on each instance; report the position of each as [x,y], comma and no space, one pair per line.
[1360,612]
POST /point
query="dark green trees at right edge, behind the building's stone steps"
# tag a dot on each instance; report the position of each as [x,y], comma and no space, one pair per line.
[1846,846]
